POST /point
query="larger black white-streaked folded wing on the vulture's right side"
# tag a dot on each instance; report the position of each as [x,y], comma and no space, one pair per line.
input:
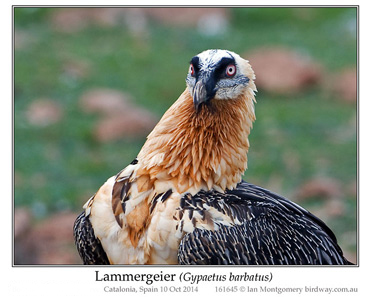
[274,231]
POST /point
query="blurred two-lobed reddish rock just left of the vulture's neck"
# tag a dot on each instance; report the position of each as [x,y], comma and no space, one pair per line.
[120,118]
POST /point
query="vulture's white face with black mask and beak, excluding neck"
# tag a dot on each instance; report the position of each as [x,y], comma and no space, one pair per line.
[218,74]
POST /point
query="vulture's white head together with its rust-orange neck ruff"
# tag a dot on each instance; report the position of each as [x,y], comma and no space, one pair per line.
[201,142]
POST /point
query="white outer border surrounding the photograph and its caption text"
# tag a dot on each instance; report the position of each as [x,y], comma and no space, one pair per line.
[73,281]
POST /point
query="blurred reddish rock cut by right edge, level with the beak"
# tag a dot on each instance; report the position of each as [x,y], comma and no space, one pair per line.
[344,85]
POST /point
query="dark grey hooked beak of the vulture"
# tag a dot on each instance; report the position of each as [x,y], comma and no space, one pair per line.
[203,91]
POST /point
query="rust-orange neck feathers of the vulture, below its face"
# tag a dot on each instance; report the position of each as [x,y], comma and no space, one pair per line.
[199,150]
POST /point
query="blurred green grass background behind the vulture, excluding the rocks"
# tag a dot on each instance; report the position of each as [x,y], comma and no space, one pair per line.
[62,164]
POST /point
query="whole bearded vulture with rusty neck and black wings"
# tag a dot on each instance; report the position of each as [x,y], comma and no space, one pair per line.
[183,200]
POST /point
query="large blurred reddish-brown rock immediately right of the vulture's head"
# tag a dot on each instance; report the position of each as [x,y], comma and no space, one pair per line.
[283,71]
